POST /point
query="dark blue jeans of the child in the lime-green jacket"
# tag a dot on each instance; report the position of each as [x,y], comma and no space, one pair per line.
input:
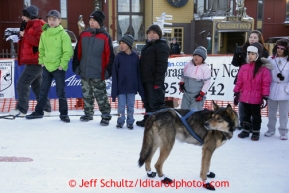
[59,76]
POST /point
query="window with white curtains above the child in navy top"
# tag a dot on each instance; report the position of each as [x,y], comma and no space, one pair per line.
[131,19]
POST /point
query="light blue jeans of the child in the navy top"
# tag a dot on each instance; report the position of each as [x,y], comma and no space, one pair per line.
[126,100]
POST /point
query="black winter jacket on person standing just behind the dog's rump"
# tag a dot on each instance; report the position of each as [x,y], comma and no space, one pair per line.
[154,62]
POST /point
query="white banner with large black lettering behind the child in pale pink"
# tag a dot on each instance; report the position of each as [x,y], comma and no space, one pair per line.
[222,81]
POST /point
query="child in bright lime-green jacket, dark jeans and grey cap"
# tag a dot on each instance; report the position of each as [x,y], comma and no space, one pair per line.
[55,51]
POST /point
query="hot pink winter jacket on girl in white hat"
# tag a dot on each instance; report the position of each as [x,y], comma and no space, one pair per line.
[253,89]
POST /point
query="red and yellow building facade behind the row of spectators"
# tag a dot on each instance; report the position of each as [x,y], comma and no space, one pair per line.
[189,17]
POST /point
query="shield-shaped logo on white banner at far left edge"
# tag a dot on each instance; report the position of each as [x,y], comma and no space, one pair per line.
[5,75]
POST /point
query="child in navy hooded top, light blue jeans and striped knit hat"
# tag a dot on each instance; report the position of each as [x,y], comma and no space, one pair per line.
[126,81]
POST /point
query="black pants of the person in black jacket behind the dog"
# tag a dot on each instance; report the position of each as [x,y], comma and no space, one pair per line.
[154,98]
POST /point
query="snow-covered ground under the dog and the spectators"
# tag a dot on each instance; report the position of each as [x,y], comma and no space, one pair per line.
[67,154]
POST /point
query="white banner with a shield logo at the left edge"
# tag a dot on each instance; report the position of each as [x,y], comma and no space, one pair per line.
[7,79]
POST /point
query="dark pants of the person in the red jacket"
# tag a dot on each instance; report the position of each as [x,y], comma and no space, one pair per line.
[31,76]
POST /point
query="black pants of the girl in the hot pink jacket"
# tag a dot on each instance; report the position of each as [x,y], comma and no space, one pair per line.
[253,110]
